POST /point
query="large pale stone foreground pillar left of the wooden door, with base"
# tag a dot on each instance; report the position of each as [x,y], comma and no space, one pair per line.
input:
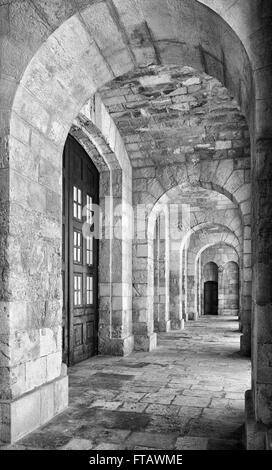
[33,381]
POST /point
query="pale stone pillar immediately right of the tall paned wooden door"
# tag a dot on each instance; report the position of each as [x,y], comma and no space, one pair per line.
[115,292]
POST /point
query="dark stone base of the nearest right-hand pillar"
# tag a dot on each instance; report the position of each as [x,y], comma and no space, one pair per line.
[255,433]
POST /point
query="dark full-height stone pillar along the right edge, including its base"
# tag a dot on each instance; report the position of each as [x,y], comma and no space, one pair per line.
[259,400]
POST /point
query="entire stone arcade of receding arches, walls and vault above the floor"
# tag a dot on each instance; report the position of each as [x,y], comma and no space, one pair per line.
[162,111]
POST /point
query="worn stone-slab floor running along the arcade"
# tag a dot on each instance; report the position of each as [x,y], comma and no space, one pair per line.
[187,394]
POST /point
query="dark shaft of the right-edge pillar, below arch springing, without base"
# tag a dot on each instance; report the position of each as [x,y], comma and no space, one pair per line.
[262,293]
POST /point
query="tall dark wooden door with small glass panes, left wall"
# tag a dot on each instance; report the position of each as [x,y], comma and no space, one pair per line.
[79,255]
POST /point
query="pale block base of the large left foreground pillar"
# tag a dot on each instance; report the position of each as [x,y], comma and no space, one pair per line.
[23,415]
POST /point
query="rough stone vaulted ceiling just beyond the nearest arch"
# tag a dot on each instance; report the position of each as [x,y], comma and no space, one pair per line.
[169,114]
